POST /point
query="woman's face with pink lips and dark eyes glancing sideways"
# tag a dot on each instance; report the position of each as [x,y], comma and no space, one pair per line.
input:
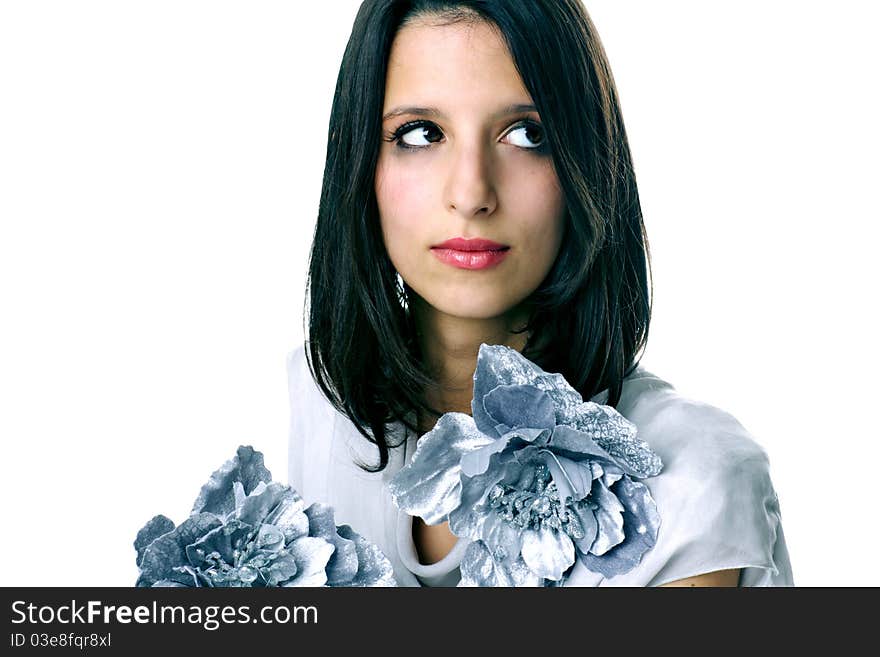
[464,156]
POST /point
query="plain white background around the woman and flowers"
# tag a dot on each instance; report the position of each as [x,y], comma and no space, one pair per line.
[160,167]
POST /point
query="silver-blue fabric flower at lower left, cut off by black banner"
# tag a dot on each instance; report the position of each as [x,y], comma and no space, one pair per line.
[245,530]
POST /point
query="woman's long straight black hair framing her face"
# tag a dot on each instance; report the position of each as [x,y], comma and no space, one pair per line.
[589,317]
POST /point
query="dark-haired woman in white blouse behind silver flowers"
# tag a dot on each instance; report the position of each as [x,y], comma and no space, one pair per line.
[479,188]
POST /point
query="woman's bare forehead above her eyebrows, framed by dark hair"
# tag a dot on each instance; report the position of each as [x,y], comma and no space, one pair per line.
[451,64]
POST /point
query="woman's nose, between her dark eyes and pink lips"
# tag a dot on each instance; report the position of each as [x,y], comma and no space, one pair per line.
[470,189]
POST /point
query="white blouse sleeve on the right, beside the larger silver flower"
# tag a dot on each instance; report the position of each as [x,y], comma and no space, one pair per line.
[717,504]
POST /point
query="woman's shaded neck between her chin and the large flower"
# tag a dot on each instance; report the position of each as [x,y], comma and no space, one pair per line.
[450,346]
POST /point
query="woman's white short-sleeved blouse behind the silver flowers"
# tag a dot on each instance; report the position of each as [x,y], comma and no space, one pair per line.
[717,505]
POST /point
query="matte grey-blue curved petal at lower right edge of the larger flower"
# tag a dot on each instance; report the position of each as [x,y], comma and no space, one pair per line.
[641,523]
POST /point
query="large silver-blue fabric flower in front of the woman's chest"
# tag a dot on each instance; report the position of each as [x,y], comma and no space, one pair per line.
[536,477]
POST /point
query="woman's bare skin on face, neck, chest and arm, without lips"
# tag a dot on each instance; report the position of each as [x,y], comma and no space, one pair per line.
[473,170]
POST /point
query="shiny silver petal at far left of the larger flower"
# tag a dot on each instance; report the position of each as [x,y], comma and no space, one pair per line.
[430,486]
